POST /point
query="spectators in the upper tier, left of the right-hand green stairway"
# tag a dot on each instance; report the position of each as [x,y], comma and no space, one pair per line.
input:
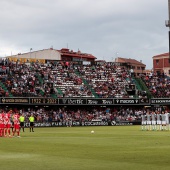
[56,79]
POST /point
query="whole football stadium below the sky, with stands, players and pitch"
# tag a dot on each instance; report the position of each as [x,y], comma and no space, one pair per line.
[67,110]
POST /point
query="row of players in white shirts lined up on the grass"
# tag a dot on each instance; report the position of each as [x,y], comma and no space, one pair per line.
[155,120]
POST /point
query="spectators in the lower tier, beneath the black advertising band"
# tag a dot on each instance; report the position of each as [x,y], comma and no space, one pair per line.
[63,114]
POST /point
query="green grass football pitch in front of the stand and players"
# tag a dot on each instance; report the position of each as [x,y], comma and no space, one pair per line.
[75,148]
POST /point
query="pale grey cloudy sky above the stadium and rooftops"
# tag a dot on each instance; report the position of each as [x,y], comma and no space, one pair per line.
[105,28]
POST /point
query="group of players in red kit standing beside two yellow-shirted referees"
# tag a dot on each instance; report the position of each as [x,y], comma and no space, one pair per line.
[9,124]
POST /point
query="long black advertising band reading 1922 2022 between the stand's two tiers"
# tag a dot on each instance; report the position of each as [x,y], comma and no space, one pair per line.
[82,101]
